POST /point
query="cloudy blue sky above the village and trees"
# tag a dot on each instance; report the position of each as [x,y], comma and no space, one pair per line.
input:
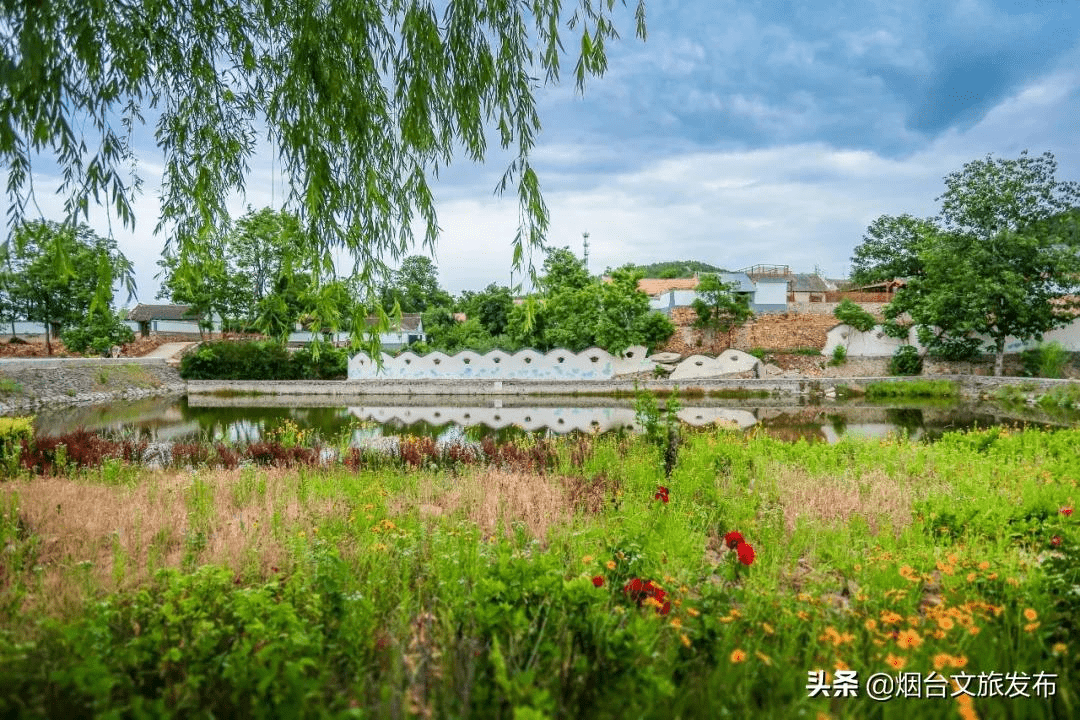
[745,133]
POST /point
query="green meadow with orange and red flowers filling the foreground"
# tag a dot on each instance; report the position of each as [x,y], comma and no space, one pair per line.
[499,592]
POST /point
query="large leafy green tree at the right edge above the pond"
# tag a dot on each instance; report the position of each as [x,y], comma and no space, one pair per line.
[997,264]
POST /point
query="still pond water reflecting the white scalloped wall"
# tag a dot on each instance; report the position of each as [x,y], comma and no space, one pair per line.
[250,419]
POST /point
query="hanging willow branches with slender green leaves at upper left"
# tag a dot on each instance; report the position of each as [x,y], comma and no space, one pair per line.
[362,101]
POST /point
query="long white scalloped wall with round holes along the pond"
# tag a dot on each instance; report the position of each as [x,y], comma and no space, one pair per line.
[592,364]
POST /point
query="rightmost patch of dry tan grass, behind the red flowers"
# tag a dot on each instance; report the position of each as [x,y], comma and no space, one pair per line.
[880,500]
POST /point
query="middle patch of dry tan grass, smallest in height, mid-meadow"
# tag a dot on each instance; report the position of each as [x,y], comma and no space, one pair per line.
[496,499]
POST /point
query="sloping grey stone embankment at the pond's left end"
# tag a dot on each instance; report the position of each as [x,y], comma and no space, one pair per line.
[31,385]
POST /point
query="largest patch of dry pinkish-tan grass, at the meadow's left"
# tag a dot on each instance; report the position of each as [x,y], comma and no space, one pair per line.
[99,538]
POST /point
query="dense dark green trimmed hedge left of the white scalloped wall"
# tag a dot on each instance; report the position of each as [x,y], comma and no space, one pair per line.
[263,360]
